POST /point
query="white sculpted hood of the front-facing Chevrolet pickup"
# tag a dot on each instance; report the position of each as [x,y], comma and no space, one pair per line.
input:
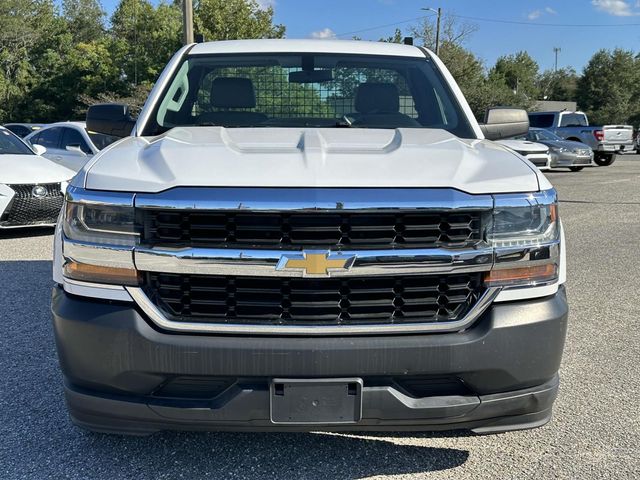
[308,157]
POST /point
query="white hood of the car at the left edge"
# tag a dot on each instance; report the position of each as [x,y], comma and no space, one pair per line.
[18,169]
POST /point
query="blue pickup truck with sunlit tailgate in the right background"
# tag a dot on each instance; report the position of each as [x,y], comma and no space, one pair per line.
[605,140]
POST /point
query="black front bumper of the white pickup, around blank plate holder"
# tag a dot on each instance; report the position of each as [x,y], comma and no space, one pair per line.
[117,368]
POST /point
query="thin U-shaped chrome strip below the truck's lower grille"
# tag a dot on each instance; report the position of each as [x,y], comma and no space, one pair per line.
[159,319]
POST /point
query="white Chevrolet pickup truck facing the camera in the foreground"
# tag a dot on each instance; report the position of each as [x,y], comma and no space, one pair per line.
[308,235]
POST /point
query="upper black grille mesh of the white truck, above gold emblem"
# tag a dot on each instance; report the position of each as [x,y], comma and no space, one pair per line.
[316,229]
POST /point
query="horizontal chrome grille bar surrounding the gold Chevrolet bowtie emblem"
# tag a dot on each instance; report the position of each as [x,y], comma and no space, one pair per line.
[264,263]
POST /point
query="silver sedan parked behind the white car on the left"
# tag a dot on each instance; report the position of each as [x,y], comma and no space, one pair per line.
[70,143]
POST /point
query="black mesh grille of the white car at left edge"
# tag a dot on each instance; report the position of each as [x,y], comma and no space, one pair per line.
[26,209]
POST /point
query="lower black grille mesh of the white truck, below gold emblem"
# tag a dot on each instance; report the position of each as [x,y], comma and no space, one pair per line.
[267,300]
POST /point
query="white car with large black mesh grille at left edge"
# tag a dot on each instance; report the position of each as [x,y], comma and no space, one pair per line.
[31,187]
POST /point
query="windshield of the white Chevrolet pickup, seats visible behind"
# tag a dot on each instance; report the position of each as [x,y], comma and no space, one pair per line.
[315,90]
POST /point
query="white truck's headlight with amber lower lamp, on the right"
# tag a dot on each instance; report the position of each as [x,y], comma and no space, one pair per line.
[525,233]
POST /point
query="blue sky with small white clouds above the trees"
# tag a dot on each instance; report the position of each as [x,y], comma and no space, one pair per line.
[325,18]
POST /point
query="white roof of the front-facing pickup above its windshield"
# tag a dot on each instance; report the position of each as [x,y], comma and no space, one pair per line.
[359,47]
